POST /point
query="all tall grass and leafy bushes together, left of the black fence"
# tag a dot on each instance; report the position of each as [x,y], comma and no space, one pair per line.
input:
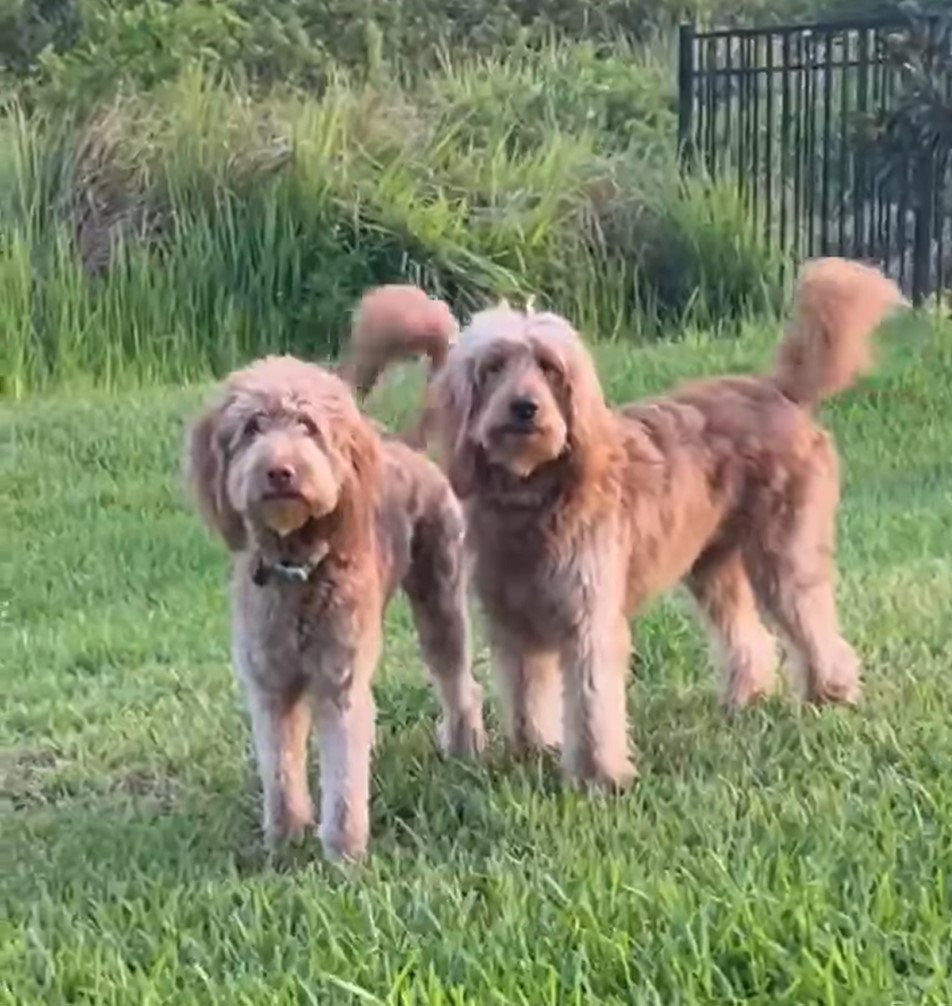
[187,184]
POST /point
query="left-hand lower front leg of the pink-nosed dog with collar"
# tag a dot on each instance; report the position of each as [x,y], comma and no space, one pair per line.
[281,726]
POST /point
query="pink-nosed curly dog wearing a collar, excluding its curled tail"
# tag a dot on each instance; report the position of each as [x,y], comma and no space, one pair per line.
[327,518]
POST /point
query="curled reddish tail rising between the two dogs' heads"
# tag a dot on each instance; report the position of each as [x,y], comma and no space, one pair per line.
[392,324]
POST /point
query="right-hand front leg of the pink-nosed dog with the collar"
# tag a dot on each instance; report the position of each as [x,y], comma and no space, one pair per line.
[345,713]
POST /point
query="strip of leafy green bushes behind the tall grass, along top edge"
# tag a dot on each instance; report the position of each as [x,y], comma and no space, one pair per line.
[79,52]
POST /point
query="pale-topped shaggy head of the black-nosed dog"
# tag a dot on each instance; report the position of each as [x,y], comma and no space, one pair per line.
[520,393]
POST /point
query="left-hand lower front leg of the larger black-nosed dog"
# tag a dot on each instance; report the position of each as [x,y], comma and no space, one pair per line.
[531,684]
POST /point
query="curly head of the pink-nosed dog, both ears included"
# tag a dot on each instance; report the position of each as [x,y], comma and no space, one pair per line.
[284,445]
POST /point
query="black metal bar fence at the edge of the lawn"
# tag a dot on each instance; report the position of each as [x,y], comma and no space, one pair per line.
[783,113]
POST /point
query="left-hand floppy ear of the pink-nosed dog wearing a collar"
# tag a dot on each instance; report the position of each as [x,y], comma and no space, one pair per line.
[206,472]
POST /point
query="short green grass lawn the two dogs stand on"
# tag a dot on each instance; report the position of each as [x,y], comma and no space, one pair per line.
[783,858]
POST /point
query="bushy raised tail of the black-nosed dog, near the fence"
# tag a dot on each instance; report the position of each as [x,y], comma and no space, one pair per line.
[838,306]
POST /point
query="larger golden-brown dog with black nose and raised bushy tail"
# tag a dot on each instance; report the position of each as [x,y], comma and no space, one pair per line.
[578,514]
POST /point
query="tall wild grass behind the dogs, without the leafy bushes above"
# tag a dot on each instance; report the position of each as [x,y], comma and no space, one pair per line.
[179,232]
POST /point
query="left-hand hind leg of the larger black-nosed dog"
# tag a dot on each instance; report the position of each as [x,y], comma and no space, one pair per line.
[747,650]
